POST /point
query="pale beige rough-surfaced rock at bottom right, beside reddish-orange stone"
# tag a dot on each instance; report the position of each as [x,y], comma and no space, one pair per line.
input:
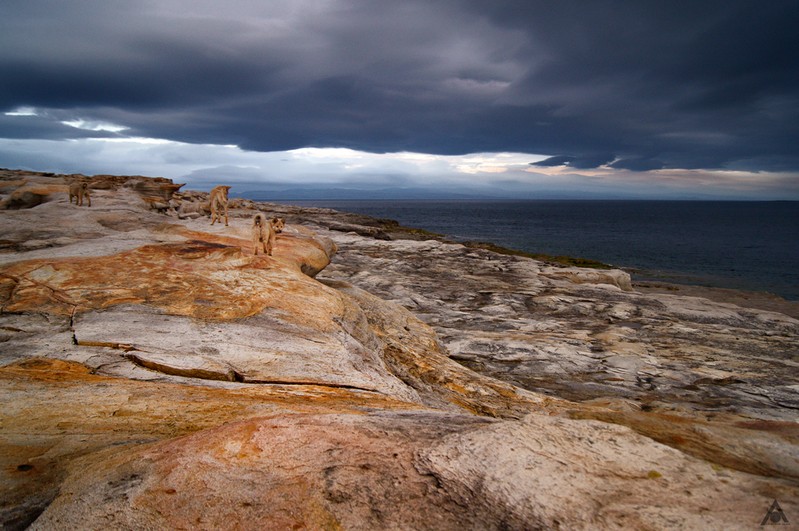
[547,472]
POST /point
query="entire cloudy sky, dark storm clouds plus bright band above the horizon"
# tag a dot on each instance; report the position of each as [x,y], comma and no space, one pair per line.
[502,98]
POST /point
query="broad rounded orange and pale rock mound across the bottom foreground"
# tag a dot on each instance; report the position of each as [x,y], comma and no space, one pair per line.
[415,470]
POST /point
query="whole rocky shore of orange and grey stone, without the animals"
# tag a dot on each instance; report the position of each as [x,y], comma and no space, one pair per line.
[156,374]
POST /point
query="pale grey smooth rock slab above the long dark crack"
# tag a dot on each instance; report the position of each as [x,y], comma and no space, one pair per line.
[259,349]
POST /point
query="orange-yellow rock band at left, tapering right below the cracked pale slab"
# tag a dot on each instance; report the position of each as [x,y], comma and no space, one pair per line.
[54,412]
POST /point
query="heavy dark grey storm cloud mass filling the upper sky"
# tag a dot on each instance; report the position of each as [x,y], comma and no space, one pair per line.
[635,84]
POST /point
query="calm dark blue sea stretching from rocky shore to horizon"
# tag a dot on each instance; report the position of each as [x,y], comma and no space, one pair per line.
[742,245]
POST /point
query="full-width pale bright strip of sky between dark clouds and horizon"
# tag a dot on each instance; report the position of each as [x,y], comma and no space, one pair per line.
[507,175]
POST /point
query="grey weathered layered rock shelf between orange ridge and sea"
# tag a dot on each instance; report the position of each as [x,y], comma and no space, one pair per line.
[582,334]
